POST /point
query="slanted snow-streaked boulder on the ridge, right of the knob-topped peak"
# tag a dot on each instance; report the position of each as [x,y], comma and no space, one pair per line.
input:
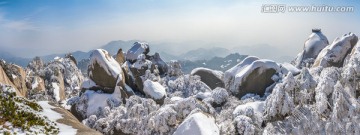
[335,54]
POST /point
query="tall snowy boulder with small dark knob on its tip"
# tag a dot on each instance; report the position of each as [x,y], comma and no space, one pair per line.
[316,42]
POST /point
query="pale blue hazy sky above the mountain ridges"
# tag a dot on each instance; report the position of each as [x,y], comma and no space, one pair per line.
[41,27]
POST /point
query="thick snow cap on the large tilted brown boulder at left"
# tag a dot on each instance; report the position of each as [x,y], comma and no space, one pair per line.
[108,63]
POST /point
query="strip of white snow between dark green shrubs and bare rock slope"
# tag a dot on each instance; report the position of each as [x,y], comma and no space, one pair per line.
[54,116]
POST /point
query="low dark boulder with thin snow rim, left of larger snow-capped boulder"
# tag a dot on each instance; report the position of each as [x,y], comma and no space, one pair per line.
[212,78]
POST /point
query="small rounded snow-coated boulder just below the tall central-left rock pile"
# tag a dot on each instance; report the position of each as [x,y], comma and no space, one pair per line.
[155,90]
